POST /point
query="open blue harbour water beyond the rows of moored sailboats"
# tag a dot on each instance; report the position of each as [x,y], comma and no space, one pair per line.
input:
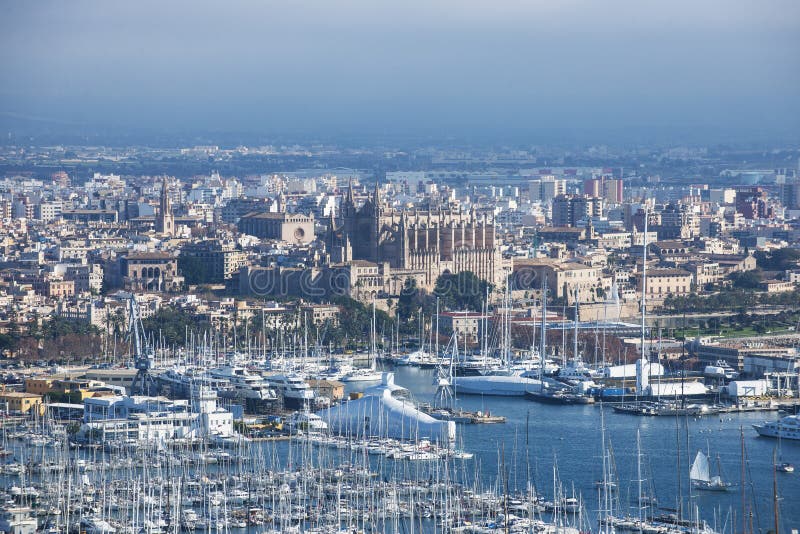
[538,435]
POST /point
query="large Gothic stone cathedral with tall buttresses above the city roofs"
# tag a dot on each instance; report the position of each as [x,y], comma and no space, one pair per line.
[422,243]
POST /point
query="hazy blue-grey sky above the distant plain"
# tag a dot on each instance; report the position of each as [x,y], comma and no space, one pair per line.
[430,67]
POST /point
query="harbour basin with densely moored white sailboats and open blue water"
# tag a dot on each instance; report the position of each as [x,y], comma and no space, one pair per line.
[318,482]
